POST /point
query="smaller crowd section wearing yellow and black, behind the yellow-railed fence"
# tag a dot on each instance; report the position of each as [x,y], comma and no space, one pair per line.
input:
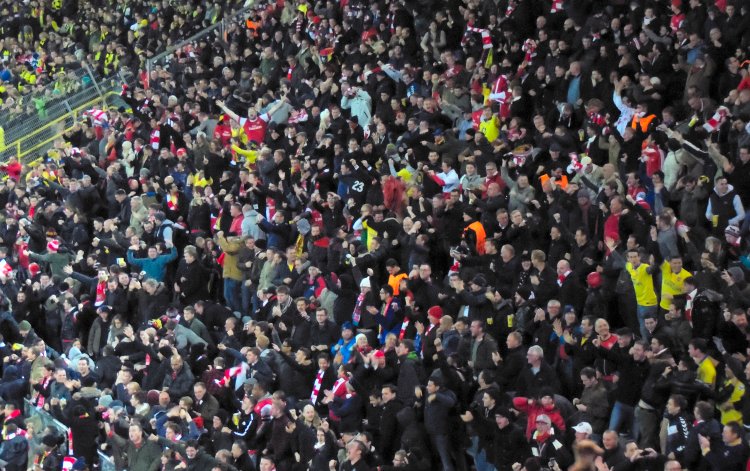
[45,43]
